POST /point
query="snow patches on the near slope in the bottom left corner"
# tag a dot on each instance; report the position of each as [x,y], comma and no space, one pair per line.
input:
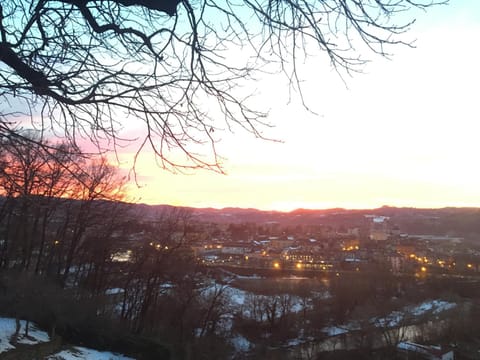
[36,336]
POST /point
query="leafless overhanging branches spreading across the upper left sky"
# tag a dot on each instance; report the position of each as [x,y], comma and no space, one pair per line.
[85,68]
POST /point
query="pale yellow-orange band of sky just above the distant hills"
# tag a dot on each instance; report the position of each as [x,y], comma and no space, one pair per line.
[209,190]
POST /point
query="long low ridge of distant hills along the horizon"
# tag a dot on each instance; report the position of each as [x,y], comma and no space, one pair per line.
[452,221]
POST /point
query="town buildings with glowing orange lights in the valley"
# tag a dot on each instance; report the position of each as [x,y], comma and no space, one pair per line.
[376,242]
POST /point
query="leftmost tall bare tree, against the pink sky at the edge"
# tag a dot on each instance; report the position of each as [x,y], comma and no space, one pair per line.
[33,176]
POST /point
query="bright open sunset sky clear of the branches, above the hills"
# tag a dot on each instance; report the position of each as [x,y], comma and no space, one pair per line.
[406,132]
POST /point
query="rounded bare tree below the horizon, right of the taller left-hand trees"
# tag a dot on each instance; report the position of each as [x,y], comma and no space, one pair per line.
[159,261]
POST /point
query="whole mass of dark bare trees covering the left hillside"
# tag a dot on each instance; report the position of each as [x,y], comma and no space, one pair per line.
[78,260]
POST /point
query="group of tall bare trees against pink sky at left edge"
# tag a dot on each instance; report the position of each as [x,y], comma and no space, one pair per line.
[54,201]
